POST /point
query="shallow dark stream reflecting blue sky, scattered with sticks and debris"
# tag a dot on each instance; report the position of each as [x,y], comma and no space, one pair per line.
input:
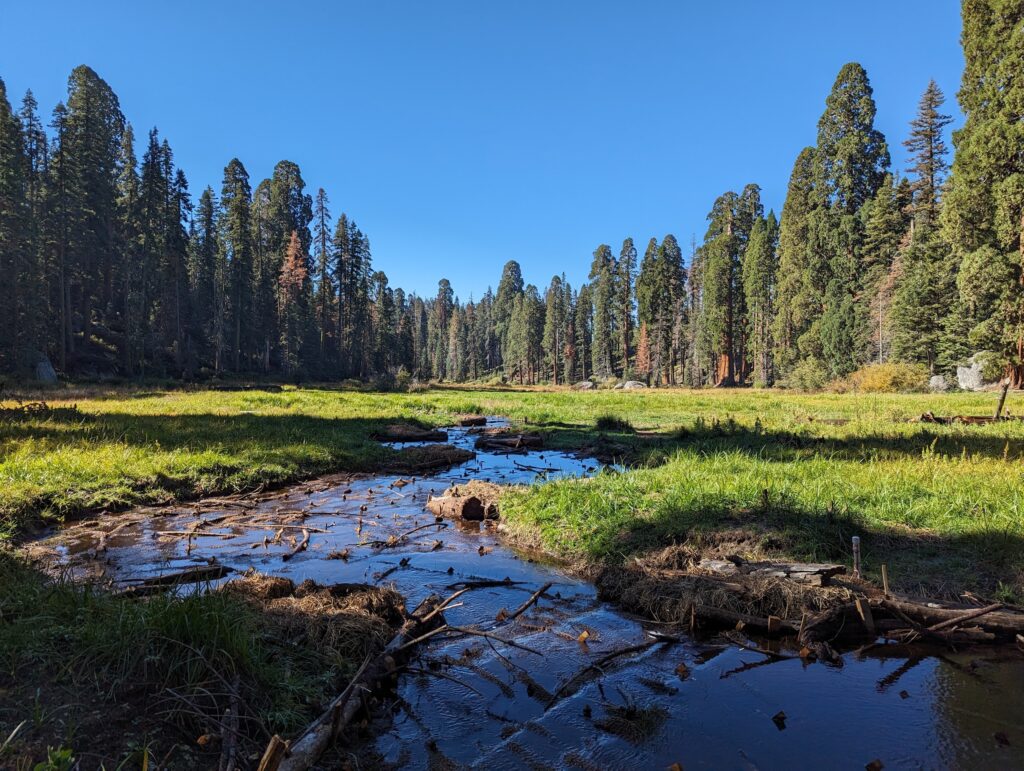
[701,704]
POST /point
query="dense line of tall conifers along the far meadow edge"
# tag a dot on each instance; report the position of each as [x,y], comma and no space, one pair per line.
[109,267]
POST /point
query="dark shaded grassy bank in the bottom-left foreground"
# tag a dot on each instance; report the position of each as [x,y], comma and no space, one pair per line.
[164,663]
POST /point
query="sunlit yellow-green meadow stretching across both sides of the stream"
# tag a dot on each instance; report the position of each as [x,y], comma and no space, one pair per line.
[943,505]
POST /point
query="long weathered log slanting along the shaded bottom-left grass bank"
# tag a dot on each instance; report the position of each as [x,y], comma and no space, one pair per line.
[306,751]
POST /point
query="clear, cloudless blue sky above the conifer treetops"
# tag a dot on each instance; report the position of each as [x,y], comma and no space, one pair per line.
[462,135]
